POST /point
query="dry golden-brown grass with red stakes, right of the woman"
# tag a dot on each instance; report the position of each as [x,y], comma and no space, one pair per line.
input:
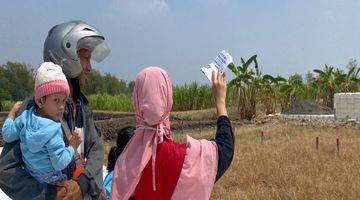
[288,166]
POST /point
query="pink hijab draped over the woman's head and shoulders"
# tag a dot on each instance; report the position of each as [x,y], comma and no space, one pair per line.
[152,101]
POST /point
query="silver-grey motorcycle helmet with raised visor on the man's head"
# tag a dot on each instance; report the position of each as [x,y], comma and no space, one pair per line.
[64,40]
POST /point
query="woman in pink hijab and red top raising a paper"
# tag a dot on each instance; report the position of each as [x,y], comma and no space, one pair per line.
[152,165]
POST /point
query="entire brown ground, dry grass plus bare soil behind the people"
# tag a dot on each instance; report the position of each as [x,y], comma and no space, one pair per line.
[285,164]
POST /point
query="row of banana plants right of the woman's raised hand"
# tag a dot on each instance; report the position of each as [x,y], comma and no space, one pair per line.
[250,87]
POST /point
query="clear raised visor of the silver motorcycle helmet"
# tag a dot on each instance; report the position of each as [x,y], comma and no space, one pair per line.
[96,45]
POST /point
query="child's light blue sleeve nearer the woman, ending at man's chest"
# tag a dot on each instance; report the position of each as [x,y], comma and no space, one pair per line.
[60,155]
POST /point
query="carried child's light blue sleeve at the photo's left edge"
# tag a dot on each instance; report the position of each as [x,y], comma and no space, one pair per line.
[11,130]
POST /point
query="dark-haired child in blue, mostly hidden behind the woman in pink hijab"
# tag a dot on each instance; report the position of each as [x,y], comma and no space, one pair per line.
[122,139]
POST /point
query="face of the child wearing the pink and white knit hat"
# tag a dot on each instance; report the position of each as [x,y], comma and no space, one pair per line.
[53,106]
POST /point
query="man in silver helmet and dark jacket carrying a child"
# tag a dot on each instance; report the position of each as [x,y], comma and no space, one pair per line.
[71,45]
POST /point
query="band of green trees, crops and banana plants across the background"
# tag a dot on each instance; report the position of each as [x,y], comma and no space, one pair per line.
[249,88]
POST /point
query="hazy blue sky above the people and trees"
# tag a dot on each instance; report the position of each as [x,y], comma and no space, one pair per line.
[181,36]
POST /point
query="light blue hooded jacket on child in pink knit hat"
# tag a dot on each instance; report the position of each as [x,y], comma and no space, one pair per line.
[42,143]
